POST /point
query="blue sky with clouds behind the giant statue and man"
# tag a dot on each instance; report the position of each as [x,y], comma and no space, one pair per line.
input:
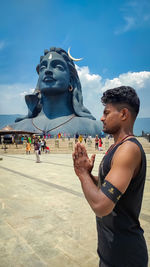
[113,37]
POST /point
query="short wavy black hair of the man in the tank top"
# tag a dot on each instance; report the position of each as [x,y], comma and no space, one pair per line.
[123,96]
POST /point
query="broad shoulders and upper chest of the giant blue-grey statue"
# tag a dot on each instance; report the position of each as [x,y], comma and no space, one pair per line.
[66,124]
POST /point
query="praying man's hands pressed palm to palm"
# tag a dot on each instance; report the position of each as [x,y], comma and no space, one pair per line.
[82,164]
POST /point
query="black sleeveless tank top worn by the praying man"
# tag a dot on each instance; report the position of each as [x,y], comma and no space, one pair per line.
[120,236]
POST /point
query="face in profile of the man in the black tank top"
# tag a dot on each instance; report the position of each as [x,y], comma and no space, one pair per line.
[111,119]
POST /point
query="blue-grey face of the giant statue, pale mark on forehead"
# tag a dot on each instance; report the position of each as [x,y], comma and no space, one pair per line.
[54,74]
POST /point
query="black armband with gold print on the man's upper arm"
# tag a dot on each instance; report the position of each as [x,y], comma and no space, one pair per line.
[111,191]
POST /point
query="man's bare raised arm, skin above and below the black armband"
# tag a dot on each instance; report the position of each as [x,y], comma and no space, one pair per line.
[125,162]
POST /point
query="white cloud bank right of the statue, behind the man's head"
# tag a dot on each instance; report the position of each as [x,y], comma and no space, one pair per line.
[93,86]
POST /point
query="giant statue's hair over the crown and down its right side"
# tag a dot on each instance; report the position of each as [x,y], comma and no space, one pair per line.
[77,98]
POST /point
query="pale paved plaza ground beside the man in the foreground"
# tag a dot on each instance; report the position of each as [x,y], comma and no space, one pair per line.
[44,218]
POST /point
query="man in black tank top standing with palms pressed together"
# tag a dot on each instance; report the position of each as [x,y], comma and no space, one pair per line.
[116,194]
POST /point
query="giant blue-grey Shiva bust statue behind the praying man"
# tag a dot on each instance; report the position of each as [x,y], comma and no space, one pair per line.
[57,102]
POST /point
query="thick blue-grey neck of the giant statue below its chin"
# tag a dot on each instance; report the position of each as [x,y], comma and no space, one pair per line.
[54,106]
